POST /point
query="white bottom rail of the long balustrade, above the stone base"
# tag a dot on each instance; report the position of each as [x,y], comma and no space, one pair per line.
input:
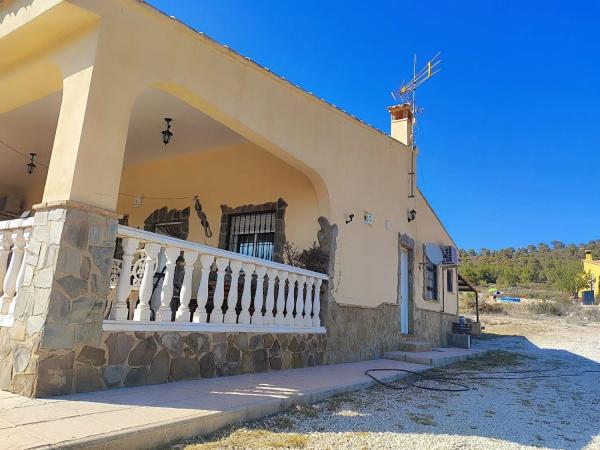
[190,327]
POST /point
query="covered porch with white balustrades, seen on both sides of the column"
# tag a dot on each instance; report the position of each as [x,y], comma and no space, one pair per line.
[198,214]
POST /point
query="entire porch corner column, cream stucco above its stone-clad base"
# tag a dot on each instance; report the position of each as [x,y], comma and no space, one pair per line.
[66,269]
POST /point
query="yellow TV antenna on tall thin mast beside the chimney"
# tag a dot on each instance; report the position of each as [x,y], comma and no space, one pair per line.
[407,95]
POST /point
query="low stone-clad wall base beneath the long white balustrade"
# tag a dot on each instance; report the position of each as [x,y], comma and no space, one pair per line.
[125,359]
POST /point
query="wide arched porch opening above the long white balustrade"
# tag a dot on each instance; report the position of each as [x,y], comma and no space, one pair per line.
[230,174]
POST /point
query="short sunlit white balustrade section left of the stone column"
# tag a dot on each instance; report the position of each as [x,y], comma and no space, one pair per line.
[14,239]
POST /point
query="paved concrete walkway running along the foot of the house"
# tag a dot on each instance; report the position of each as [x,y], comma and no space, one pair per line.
[153,416]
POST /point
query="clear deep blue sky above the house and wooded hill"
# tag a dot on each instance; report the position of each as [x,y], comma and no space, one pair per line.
[510,138]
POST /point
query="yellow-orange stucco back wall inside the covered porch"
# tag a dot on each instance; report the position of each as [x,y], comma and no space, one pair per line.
[235,176]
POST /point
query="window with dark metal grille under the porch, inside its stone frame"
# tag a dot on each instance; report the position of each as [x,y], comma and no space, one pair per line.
[252,234]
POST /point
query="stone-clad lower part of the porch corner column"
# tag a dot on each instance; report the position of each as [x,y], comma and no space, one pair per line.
[62,301]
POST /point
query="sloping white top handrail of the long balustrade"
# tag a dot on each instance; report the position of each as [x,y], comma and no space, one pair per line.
[148,236]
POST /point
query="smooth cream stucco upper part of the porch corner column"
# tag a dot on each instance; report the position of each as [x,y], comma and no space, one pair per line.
[89,144]
